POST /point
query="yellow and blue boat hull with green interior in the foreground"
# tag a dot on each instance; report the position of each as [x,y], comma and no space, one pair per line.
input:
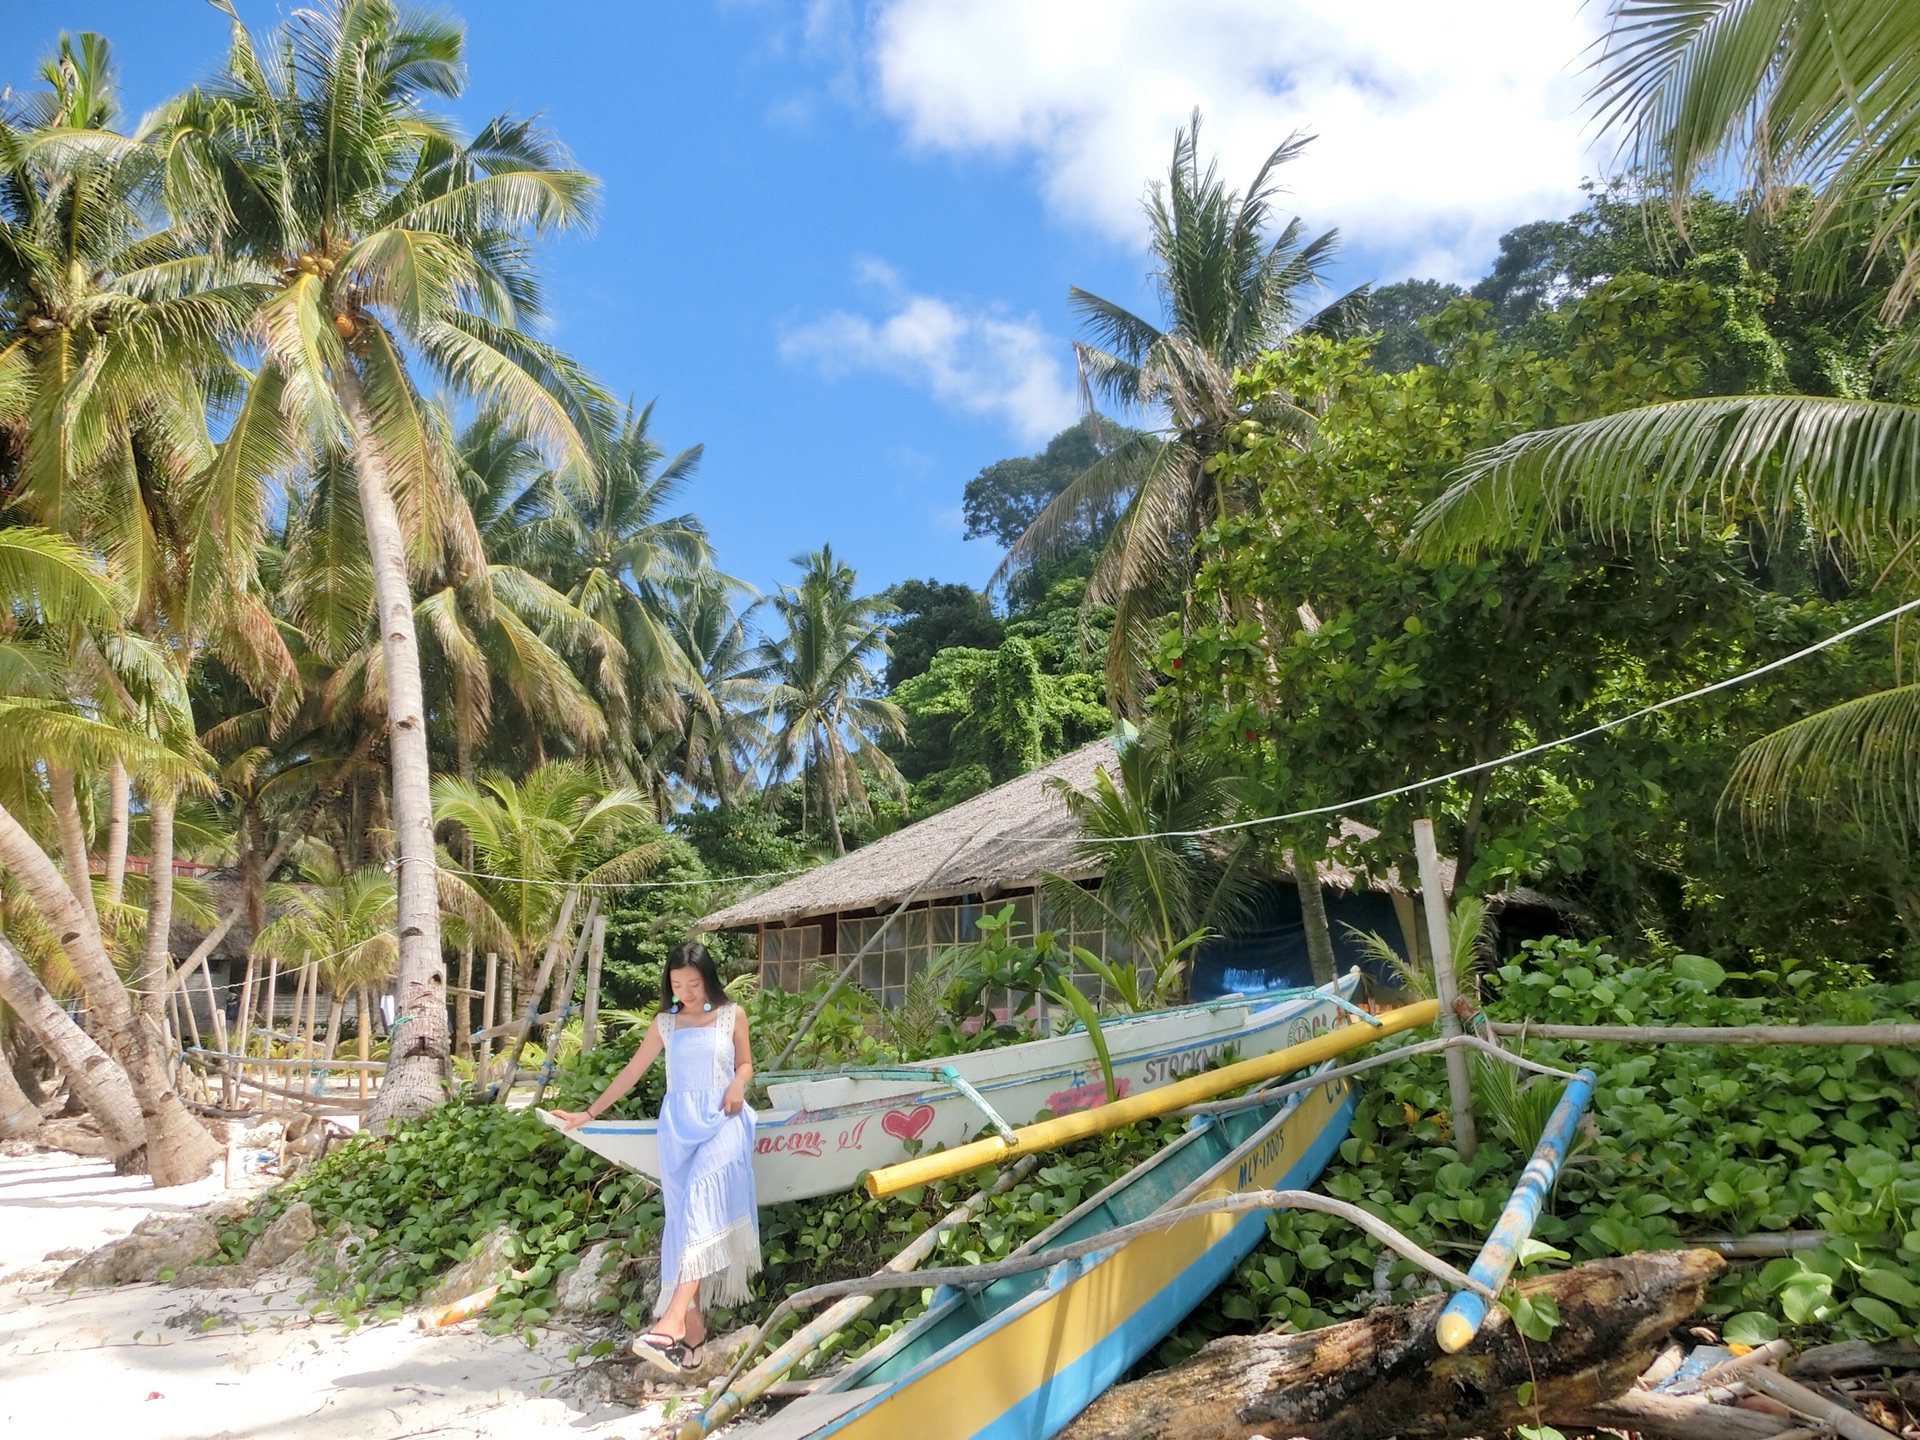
[1022,1356]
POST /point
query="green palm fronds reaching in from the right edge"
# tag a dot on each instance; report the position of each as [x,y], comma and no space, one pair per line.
[1831,93]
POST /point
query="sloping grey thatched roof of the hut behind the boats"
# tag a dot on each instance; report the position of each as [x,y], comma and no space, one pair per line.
[996,842]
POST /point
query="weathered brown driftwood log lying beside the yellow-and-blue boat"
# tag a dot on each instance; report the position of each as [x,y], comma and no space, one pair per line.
[1383,1376]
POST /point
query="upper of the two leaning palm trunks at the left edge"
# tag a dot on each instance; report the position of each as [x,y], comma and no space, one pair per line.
[178,1147]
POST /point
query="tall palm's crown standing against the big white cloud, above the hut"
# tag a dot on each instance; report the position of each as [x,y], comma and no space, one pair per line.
[1230,291]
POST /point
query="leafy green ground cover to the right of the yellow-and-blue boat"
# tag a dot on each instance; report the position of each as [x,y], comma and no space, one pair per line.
[1681,1141]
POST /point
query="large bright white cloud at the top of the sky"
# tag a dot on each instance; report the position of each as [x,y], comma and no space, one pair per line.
[1441,122]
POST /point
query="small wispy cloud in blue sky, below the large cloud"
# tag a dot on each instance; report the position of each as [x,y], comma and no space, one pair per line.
[982,362]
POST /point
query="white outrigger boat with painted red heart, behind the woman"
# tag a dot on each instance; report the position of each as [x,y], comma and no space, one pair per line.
[827,1130]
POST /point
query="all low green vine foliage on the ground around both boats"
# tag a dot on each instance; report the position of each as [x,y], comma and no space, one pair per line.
[1681,1141]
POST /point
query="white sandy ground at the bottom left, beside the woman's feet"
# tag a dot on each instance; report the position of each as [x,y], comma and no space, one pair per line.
[153,1362]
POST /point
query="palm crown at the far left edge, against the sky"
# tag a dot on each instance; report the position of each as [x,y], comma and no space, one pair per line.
[110,327]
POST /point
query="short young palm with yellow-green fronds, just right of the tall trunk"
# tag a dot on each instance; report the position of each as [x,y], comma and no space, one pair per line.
[533,840]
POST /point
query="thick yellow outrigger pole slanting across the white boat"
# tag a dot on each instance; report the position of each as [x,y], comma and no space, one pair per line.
[1053,1134]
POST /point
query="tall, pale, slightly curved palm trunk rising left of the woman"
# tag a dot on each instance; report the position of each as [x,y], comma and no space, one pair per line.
[418,1051]
